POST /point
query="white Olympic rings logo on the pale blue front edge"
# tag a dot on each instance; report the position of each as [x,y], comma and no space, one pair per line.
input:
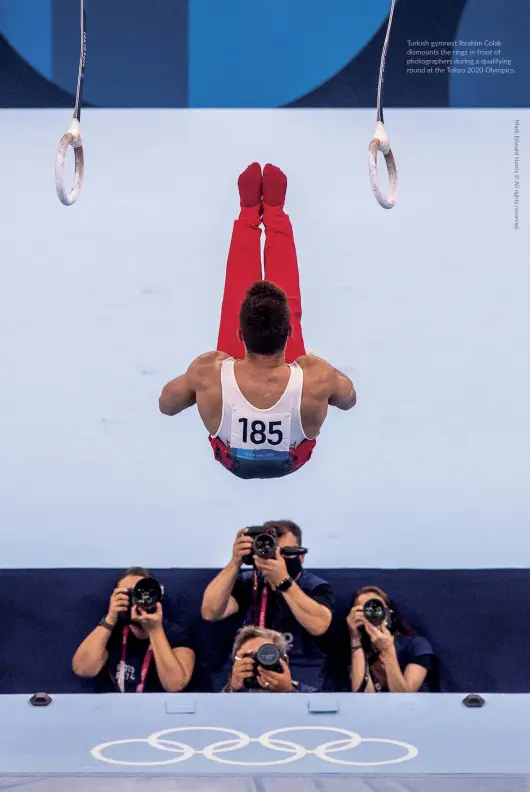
[217,751]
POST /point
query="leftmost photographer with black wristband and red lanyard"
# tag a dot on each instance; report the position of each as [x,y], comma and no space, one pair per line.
[131,646]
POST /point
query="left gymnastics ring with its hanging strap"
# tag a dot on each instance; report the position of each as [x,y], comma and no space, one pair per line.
[73,137]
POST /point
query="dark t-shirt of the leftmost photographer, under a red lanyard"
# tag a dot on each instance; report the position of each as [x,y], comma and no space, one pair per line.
[134,658]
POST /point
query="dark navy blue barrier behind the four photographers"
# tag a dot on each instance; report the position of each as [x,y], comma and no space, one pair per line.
[476,620]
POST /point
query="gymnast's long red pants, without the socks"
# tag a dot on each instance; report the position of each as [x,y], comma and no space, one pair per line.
[243,268]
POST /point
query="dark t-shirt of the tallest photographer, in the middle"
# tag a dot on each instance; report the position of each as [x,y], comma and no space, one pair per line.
[307,656]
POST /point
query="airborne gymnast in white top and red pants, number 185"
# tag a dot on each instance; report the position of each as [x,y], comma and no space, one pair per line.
[262,399]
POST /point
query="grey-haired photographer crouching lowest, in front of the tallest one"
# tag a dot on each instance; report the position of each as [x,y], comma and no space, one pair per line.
[261,664]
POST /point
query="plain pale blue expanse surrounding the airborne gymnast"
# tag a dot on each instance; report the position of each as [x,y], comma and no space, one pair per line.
[425,307]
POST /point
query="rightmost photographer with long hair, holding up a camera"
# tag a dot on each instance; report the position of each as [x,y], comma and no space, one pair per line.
[386,654]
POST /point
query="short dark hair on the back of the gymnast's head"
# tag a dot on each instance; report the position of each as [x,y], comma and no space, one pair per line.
[265,319]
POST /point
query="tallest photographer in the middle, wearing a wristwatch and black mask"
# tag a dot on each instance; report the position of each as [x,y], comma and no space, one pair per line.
[277,593]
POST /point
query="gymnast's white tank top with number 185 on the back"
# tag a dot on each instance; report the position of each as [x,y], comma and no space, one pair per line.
[261,435]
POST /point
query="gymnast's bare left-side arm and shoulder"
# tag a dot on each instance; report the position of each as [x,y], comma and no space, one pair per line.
[181,393]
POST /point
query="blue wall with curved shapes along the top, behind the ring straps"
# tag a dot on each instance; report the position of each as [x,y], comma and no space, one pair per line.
[265,53]
